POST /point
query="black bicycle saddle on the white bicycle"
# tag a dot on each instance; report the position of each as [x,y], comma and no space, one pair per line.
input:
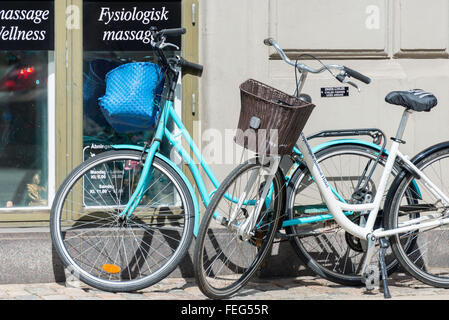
[416,99]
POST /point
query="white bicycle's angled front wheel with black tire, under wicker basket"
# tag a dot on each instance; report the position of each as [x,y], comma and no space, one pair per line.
[234,269]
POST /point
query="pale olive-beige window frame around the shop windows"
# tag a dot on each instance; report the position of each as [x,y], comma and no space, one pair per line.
[65,115]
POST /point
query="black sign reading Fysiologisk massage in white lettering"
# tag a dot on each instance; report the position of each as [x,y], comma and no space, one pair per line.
[125,26]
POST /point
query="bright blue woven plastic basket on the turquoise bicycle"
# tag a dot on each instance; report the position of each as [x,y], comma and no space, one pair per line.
[133,95]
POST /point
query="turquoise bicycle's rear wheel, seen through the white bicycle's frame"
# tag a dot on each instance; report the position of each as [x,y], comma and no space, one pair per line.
[324,246]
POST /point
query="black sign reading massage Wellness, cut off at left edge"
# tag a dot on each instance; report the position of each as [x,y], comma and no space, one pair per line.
[26,25]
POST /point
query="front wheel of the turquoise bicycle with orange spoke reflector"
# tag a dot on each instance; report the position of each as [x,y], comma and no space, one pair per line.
[113,251]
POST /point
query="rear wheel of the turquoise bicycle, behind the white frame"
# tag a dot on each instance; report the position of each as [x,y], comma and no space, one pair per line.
[333,255]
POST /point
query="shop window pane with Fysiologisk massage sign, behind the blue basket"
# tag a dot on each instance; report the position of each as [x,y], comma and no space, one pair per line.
[115,33]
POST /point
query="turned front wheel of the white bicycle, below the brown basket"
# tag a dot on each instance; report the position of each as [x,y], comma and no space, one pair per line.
[223,261]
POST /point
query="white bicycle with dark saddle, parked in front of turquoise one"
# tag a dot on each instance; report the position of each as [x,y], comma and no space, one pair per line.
[412,222]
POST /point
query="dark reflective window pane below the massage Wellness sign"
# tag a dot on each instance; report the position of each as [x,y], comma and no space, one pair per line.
[23,128]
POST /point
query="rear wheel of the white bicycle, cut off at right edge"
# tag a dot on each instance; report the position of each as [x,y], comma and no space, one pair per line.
[428,261]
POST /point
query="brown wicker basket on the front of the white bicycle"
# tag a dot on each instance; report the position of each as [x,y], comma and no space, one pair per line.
[270,120]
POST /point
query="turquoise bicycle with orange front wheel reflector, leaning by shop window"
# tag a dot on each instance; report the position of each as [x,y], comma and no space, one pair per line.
[125,218]
